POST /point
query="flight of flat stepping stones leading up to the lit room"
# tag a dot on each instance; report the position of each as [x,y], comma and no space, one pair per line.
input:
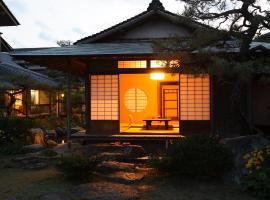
[123,164]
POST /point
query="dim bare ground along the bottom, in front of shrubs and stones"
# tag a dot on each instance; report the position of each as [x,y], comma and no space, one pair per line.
[49,184]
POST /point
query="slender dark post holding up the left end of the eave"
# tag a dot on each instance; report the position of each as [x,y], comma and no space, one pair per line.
[68,104]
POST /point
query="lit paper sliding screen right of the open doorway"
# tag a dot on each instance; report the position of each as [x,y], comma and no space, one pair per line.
[195,97]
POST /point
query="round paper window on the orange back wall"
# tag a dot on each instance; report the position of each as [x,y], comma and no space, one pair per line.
[135,100]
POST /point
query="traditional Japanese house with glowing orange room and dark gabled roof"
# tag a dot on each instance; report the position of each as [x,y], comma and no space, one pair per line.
[133,91]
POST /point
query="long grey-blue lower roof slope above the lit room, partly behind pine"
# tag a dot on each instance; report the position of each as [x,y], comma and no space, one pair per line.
[121,49]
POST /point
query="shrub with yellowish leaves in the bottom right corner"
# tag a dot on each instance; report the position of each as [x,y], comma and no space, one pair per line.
[257,179]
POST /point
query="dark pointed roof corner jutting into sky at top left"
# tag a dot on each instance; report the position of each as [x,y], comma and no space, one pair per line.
[10,18]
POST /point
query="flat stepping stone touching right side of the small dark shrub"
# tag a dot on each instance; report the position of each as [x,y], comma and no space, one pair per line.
[113,166]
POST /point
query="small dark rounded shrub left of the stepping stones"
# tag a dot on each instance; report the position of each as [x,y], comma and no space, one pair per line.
[77,167]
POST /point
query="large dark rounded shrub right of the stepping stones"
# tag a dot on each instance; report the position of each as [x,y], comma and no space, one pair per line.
[198,157]
